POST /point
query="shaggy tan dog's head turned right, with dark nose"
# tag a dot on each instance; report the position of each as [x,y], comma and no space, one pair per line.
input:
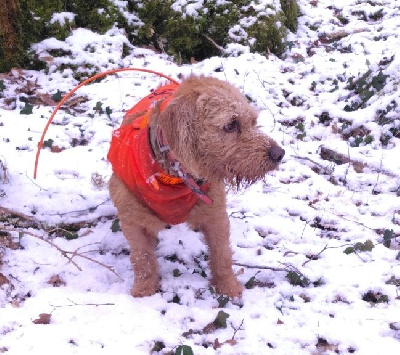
[212,130]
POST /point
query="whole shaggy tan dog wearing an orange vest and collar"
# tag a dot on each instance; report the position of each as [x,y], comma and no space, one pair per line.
[171,164]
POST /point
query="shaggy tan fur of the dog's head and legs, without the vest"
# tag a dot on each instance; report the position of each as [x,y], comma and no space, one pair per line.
[211,130]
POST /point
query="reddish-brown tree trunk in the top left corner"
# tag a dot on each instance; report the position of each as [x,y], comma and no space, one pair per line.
[11,52]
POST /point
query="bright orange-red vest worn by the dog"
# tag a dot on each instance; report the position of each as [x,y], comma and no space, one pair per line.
[130,156]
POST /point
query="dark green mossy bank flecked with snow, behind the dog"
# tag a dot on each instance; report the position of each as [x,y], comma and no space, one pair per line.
[179,34]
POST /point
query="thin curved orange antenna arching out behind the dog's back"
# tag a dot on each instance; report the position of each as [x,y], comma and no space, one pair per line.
[83,83]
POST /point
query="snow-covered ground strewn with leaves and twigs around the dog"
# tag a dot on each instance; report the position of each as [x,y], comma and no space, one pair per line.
[315,244]
